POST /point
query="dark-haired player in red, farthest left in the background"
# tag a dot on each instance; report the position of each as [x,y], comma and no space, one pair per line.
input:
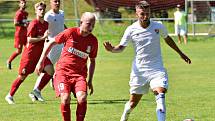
[20,37]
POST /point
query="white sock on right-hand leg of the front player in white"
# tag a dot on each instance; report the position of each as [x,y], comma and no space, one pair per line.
[161,108]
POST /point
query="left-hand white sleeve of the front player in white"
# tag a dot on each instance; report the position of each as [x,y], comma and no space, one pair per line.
[126,37]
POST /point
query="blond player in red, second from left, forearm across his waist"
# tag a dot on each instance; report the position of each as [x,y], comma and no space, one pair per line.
[36,35]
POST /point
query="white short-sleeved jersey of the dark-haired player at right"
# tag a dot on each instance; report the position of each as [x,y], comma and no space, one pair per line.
[146,42]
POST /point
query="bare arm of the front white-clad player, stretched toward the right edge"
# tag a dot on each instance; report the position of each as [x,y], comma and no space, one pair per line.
[172,44]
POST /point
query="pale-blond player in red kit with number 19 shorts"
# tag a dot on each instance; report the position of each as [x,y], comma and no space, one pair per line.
[71,69]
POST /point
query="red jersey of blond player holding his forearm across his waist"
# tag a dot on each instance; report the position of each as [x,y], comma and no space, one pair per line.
[33,51]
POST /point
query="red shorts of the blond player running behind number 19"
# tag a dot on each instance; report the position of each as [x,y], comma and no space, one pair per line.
[29,67]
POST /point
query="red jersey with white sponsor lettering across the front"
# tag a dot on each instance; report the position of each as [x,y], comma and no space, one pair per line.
[77,49]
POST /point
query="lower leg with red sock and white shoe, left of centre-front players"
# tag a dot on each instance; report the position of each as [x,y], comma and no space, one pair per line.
[14,87]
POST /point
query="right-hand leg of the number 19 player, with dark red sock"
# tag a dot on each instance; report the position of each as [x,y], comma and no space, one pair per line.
[81,95]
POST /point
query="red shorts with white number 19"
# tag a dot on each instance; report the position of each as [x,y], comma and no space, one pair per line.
[68,84]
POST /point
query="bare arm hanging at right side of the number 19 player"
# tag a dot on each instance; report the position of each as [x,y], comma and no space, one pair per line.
[91,73]
